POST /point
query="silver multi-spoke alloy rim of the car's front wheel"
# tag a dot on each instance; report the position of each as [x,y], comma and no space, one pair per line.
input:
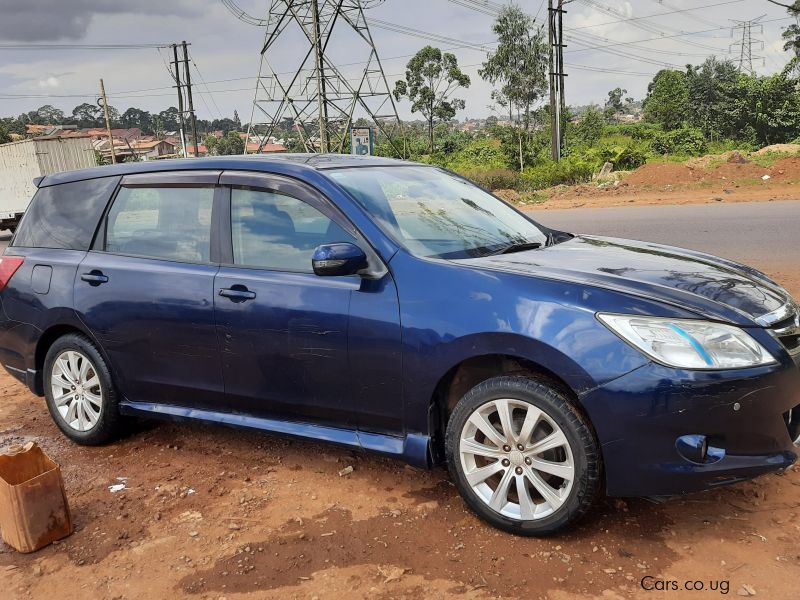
[516,459]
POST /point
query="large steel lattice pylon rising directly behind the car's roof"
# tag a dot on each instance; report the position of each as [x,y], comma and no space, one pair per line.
[311,91]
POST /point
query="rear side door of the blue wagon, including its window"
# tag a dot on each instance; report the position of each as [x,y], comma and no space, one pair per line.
[145,290]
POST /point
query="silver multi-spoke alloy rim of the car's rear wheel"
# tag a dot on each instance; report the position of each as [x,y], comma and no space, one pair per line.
[77,393]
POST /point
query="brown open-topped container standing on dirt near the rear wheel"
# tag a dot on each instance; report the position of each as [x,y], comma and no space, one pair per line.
[33,504]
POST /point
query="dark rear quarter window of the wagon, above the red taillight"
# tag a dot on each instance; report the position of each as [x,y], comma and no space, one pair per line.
[65,215]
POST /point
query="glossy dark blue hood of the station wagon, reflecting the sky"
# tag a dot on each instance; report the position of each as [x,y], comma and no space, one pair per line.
[711,286]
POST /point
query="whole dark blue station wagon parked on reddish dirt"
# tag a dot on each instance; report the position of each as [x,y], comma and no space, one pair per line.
[398,308]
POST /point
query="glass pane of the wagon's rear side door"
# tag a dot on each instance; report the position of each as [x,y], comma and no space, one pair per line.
[171,223]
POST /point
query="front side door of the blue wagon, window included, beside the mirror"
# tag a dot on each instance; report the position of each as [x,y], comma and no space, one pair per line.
[283,329]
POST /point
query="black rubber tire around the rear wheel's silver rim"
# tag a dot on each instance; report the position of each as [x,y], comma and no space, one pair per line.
[109,423]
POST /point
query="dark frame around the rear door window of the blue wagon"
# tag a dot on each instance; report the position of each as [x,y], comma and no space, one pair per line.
[182,179]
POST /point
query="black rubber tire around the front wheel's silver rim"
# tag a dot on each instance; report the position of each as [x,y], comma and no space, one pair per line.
[586,460]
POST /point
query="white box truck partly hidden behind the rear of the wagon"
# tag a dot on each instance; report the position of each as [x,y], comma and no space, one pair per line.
[22,162]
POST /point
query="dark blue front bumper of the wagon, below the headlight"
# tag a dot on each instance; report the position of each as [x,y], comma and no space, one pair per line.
[643,417]
